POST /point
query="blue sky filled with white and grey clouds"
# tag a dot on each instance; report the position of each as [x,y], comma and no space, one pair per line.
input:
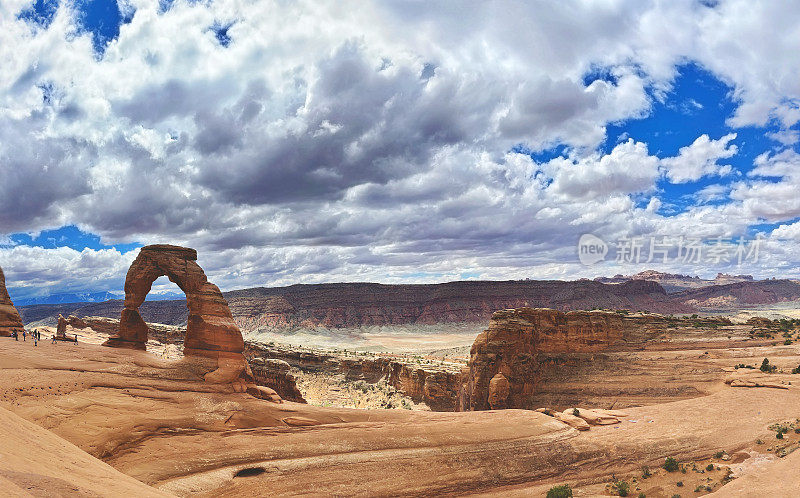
[396,141]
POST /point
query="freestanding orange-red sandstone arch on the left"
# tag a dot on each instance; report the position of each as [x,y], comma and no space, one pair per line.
[210,329]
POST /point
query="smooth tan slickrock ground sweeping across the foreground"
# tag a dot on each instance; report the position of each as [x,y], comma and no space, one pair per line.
[153,419]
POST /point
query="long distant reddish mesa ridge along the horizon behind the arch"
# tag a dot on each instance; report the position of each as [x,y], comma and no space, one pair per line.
[357,305]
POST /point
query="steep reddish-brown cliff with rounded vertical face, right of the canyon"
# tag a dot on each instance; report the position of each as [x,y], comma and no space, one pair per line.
[505,363]
